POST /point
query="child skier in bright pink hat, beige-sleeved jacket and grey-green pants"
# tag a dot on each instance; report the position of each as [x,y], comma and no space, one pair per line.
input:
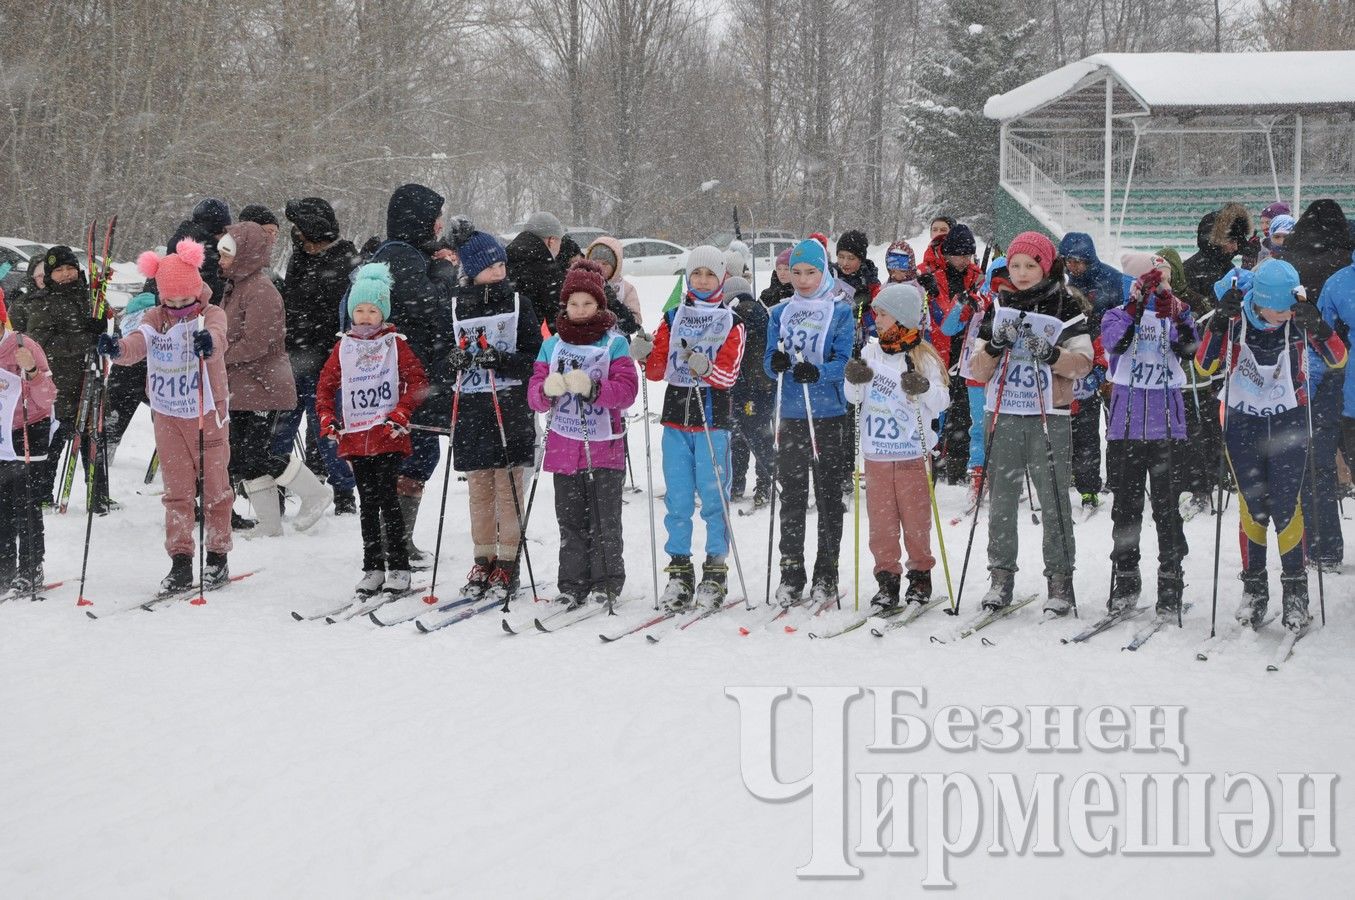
[1032,348]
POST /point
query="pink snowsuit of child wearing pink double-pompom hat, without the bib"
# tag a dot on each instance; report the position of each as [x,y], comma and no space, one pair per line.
[177,443]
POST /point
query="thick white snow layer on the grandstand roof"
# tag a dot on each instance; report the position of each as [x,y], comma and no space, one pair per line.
[1163,81]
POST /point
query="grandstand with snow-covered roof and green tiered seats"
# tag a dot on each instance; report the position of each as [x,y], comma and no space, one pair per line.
[1135,148]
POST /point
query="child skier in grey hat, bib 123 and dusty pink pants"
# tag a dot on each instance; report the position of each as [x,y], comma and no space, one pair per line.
[900,386]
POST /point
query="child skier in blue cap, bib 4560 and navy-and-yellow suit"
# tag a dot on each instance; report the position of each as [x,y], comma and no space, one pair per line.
[1269,341]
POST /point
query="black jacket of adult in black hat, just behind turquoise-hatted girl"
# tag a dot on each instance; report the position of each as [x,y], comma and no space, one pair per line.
[311,295]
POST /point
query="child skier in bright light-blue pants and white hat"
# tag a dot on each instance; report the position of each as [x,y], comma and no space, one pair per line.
[697,350]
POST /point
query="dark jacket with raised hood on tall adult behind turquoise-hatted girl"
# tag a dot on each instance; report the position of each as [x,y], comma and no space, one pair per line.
[421,298]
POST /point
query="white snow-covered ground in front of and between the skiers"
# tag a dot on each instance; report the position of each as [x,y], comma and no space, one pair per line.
[228,752]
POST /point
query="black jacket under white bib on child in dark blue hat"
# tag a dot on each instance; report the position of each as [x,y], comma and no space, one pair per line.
[478,444]
